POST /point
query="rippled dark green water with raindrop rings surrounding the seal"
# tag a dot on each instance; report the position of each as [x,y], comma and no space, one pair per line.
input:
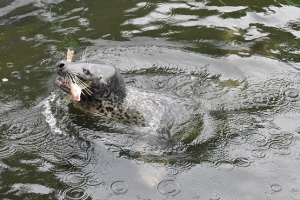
[233,65]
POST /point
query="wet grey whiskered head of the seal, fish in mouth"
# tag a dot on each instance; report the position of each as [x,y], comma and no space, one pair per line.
[91,81]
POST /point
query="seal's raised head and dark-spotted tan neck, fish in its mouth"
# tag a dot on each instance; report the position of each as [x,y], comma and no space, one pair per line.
[98,87]
